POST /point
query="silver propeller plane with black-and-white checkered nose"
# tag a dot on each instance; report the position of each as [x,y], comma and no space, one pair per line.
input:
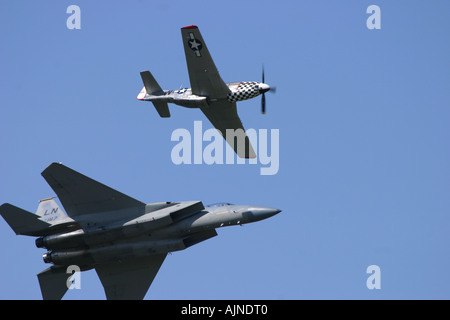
[215,98]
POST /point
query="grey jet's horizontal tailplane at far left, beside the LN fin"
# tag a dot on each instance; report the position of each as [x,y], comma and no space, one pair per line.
[23,222]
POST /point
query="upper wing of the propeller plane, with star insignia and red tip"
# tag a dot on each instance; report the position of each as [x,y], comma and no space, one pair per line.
[203,74]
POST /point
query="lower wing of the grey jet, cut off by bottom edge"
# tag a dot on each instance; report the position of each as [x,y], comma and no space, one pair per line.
[129,280]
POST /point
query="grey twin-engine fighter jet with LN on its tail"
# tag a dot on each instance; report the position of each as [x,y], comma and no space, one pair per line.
[125,240]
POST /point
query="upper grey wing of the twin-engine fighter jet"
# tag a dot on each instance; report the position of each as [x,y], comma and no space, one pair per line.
[81,195]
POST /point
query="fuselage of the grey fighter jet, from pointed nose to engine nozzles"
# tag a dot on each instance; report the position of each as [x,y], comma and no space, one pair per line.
[147,235]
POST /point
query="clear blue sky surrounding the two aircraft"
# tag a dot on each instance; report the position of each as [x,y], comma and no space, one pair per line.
[363,117]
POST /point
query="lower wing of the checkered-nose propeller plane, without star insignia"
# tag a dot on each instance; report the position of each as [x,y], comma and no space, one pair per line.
[223,115]
